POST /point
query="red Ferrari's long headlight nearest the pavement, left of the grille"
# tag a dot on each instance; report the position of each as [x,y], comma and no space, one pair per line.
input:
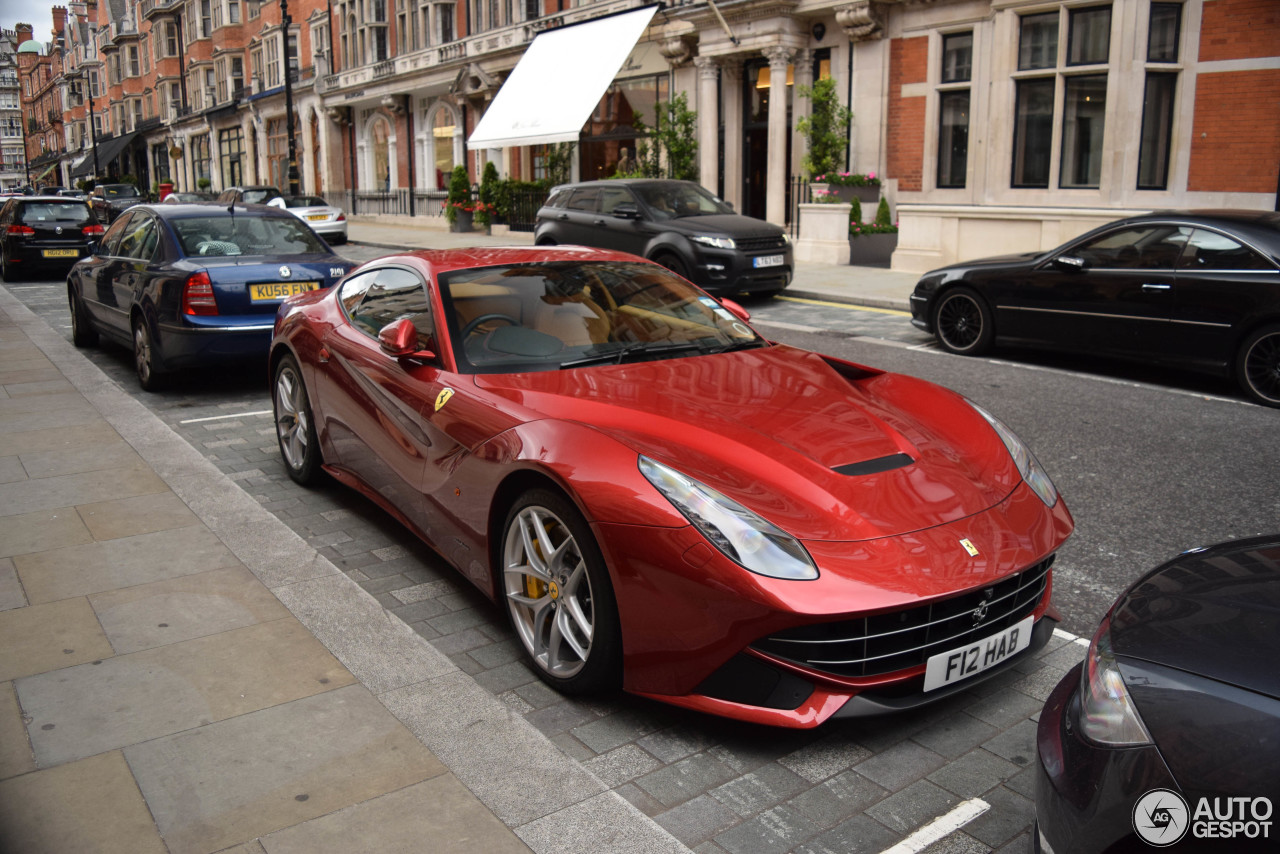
[742,536]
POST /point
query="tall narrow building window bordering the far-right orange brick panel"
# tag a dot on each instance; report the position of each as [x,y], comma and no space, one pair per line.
[1159,97]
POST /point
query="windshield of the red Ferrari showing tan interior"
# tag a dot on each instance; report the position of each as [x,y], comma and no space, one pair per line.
[570,314]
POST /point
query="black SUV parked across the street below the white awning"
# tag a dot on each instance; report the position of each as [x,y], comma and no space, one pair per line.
[675,223]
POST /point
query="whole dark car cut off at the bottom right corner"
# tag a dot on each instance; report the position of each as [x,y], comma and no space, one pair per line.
[1171,730]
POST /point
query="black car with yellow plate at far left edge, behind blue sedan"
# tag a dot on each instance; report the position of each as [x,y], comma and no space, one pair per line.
[45,232]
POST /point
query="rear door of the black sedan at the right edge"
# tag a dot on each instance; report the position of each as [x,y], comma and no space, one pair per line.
[1220,285]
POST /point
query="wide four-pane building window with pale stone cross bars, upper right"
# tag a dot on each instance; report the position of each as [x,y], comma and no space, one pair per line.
[1084,98]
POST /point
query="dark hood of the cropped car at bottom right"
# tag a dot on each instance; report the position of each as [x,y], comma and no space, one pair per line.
[1214,613]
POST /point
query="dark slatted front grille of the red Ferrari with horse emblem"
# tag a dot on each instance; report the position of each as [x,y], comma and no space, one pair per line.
[890,642]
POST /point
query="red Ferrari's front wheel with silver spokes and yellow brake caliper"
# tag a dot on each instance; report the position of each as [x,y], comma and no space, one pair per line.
[550,608]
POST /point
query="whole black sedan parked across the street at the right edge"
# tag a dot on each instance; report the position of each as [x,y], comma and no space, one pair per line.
[1199,290]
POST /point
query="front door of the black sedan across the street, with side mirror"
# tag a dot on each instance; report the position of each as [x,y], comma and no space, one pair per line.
[1113,294]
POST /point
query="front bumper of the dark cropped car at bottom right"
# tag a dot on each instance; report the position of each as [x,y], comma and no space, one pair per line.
[1086,793]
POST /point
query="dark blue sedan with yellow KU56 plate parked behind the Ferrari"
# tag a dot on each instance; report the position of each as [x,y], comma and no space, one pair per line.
[195,285]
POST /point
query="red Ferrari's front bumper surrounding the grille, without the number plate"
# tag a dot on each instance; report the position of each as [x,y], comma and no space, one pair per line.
[691,616]
